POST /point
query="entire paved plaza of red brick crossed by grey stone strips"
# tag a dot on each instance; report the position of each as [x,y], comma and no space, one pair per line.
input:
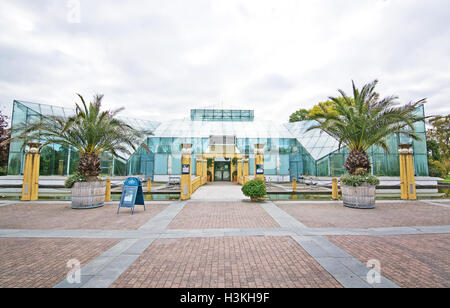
[221,240]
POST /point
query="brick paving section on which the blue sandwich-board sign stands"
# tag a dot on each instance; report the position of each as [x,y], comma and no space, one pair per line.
[62,217]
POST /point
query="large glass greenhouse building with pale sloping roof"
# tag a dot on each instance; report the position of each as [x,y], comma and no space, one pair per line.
[290,150]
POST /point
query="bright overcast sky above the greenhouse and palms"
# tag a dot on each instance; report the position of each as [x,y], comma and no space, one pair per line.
[161,58]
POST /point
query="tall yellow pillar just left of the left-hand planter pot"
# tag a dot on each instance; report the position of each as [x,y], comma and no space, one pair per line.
[30,188]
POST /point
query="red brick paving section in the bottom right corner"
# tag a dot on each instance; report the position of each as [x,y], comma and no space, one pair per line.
[411,261]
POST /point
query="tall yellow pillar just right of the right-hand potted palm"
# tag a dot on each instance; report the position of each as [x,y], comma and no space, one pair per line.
[407,177]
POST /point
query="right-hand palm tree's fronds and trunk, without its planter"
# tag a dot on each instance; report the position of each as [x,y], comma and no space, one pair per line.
[364,120]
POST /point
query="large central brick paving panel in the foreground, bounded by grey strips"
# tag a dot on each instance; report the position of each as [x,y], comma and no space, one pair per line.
[226,262]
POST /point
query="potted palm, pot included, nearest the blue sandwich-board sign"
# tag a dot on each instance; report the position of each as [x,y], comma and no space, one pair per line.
[90,132]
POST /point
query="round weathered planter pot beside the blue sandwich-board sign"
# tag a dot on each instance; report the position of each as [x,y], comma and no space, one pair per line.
[88,195]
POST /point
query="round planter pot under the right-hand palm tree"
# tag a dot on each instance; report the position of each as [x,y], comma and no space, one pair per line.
[362,197]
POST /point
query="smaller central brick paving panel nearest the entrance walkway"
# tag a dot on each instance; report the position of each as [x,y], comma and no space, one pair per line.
[214,215]
